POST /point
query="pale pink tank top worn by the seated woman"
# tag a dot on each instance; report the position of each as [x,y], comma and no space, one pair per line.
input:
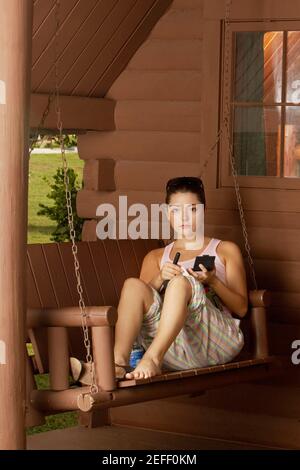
[209,250]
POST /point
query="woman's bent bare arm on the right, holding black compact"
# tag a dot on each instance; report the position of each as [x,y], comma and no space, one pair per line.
[234,295]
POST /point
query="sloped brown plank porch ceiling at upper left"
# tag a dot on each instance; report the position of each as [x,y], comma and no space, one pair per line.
[97,38]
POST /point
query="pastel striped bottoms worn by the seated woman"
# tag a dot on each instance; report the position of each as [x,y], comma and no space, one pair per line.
[209,336]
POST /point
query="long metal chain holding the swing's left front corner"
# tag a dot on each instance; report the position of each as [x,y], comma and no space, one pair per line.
[87,342]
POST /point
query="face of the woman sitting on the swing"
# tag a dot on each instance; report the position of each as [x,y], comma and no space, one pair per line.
[186,215]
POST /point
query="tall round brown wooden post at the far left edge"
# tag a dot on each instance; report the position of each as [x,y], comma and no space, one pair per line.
[15,72]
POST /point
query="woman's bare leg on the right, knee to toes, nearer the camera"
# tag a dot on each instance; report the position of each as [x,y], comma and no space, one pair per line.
[173,316]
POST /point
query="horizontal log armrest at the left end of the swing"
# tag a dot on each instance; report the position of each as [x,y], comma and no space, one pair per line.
[71,316]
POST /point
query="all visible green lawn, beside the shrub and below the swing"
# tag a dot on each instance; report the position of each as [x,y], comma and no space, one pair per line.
[39,231]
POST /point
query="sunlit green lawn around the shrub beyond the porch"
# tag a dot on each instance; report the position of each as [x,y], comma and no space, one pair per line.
[40,227]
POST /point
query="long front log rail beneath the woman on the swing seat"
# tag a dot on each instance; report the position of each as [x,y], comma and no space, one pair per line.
[81,398]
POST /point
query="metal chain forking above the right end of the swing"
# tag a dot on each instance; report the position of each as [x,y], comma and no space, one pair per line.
[225,130]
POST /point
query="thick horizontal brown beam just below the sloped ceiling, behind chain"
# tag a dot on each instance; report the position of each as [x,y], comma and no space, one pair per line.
[78,113]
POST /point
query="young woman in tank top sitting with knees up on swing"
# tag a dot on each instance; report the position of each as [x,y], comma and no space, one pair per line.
[191,323]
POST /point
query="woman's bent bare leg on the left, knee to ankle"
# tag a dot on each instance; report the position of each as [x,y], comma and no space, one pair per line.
[136,298]
